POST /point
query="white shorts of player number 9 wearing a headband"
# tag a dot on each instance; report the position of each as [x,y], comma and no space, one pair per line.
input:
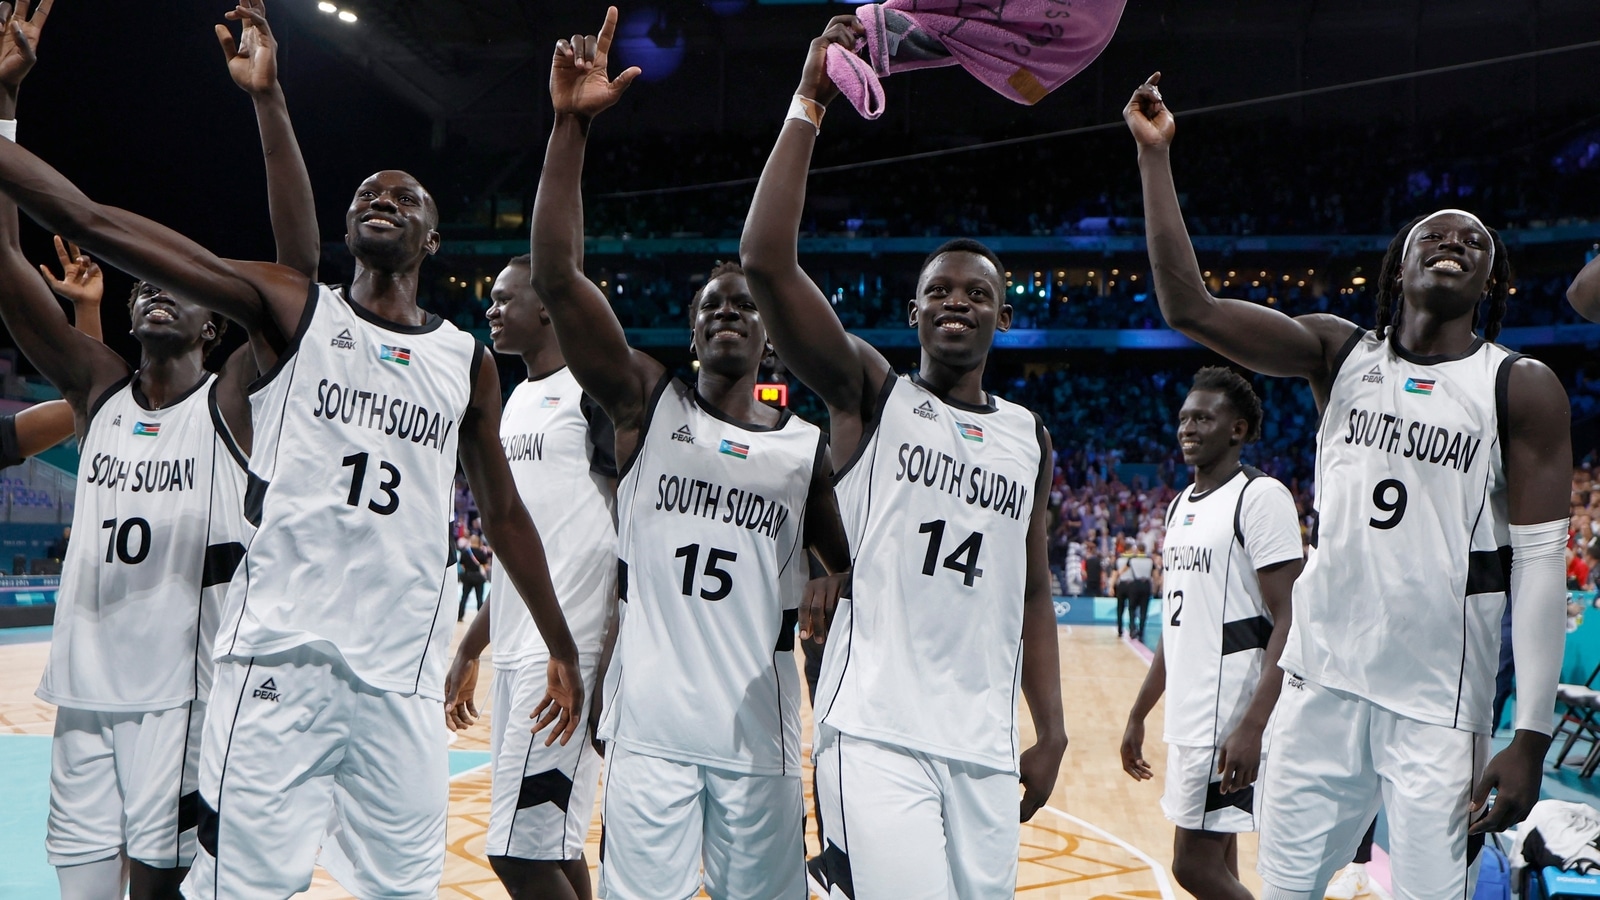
[1335,758]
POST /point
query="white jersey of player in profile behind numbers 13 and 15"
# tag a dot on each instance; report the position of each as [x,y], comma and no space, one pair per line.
[551,449]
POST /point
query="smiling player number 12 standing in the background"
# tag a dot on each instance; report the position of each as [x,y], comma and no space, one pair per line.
[1231,556]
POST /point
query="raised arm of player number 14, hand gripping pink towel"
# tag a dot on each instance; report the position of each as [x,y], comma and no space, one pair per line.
[801,323]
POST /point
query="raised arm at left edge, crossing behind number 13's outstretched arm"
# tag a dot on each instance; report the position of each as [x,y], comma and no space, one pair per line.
[74,363]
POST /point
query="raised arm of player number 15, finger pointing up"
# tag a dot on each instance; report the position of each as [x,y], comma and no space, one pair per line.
[593,340]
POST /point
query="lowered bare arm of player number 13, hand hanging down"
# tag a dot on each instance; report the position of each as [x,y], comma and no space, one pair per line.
[506,524]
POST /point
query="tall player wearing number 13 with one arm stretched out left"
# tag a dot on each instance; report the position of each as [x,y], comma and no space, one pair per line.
[330,670]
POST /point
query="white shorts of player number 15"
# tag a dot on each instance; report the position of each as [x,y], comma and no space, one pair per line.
[665,821]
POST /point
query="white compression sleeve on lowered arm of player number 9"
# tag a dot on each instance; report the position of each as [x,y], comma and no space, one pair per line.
[1538,619]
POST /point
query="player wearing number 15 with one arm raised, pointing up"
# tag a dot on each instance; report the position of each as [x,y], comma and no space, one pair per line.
[718,504]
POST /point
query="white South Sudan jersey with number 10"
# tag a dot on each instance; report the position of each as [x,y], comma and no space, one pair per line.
[159,528]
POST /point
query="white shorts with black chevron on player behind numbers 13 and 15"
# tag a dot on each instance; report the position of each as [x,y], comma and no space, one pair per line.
[543,797]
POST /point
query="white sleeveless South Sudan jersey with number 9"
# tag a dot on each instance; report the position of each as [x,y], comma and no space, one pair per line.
[1402,598]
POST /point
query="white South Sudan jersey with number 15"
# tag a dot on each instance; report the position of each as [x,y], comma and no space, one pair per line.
[711,516]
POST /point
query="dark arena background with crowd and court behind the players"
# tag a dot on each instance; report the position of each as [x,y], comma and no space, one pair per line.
[1308,135]
